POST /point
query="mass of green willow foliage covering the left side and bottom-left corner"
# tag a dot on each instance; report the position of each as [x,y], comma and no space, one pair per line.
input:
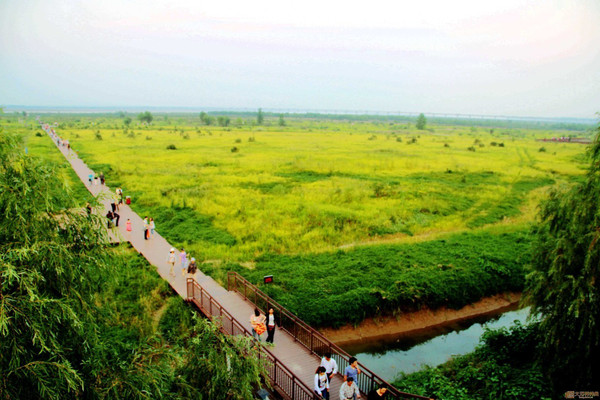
[55,341]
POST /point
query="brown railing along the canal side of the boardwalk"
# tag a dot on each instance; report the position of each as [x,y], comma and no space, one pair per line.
[310,338]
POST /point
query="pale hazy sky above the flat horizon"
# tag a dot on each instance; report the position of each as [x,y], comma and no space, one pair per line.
[508,57]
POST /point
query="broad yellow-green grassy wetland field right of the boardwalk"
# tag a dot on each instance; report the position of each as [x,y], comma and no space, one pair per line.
[354,217]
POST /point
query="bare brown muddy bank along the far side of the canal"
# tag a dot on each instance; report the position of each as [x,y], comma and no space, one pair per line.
[419,321]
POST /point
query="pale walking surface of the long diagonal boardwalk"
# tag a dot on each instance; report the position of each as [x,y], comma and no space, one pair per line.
[291,353]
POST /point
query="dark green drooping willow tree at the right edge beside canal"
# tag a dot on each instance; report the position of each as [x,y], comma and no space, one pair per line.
[562,287]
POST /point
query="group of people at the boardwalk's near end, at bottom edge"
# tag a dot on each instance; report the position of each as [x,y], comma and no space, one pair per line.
[349,389]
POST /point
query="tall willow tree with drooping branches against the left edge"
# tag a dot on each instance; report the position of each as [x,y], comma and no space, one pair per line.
[46,246]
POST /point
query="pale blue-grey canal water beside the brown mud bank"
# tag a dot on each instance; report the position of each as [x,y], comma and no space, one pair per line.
[390,356]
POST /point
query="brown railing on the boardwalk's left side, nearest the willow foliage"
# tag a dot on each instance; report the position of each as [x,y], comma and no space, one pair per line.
[288,384]
